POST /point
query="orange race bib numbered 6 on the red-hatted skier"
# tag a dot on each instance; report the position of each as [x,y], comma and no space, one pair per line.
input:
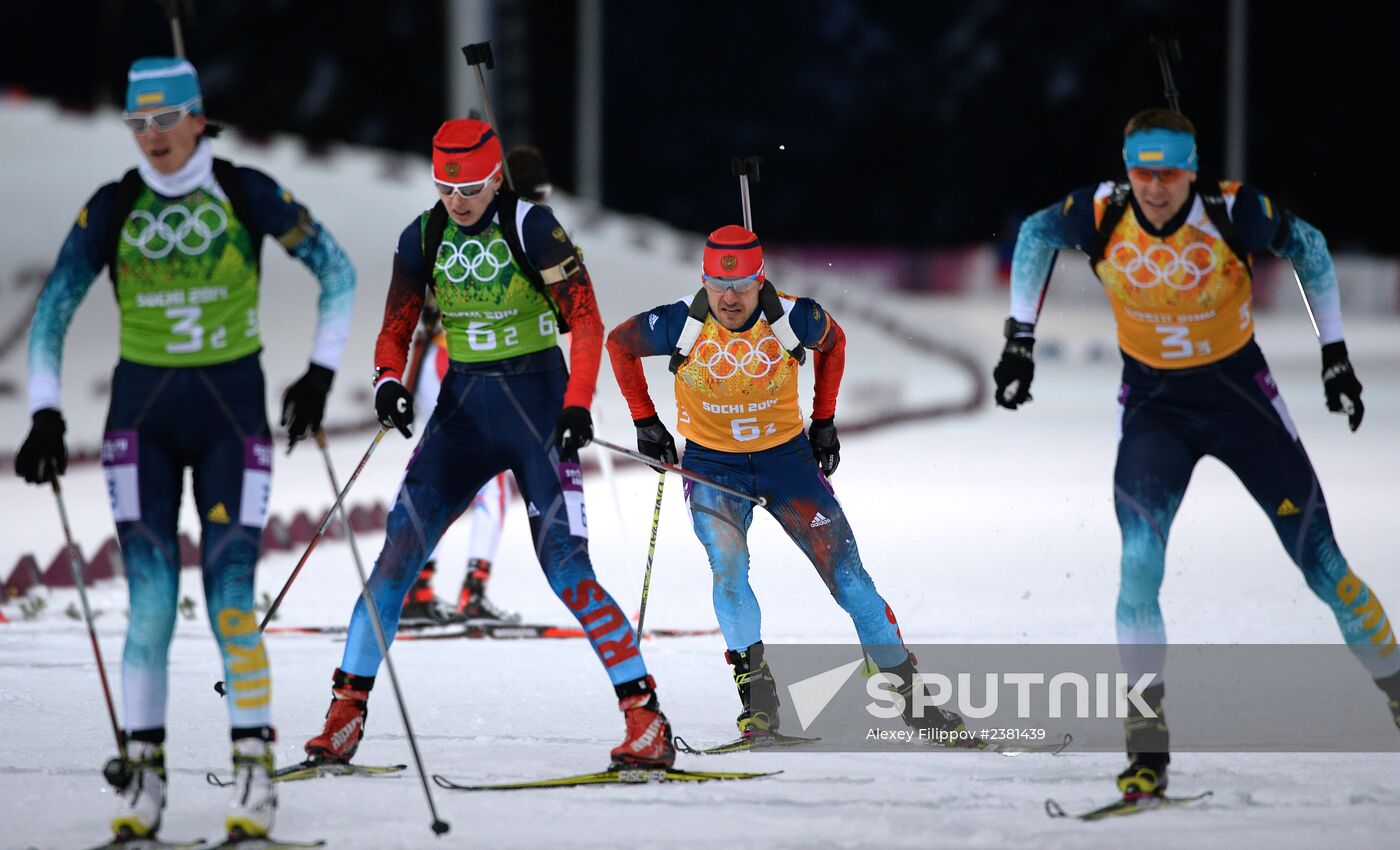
[738,390]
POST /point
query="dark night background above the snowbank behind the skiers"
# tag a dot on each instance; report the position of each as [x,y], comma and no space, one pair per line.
[899,124]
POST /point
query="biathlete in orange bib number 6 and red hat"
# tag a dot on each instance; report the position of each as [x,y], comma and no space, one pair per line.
[736,348]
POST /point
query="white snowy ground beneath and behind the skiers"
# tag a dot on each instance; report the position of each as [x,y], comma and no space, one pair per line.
[988,529]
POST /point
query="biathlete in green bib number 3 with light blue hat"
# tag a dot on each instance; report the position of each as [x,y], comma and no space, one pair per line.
[181,236]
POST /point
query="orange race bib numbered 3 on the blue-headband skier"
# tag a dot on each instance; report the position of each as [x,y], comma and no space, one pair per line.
[1179,302]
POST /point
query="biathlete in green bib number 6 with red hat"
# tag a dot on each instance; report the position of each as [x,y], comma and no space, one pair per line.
[507,403]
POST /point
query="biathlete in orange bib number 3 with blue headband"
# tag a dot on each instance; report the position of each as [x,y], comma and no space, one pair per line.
[1174,256]
